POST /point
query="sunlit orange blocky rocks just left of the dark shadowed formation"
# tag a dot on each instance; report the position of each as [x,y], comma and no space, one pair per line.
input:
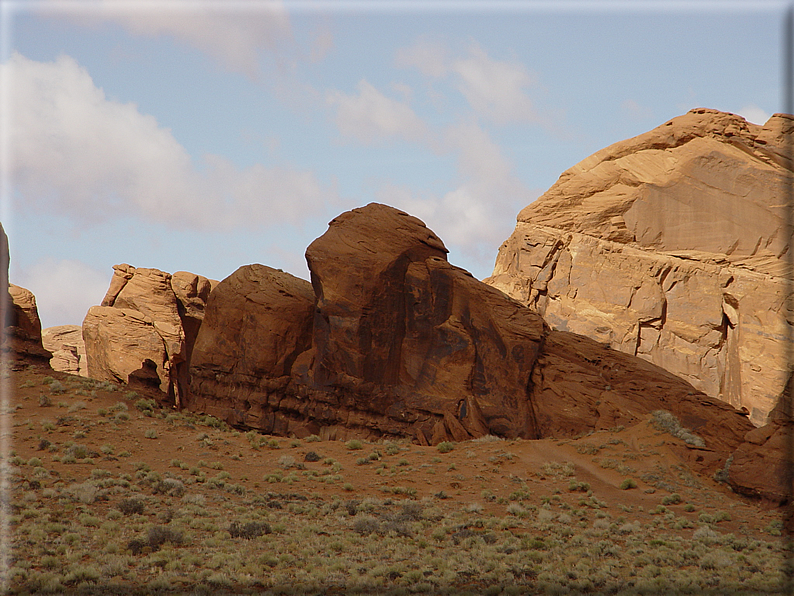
[145,328]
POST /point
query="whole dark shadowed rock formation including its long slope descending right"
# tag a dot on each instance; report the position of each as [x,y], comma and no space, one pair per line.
[389,339]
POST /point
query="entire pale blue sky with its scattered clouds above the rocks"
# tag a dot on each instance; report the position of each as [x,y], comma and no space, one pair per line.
[202,136]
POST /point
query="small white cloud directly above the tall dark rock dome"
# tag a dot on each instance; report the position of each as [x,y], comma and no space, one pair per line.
[370,116]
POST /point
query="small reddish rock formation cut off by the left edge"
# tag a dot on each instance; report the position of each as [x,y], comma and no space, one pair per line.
[19,316]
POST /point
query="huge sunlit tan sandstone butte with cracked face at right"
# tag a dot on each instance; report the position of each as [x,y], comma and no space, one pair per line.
[669,246]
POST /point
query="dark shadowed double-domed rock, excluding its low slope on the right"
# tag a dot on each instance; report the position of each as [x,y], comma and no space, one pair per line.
[389,339]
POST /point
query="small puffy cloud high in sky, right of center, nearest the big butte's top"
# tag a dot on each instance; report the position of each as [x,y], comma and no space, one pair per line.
[495,90]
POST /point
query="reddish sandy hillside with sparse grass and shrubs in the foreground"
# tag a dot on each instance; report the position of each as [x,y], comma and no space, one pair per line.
[152,501]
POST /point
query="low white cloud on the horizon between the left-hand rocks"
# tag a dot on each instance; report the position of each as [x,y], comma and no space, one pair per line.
[64,290]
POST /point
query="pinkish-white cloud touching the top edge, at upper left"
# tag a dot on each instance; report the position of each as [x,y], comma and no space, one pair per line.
[233,33]
